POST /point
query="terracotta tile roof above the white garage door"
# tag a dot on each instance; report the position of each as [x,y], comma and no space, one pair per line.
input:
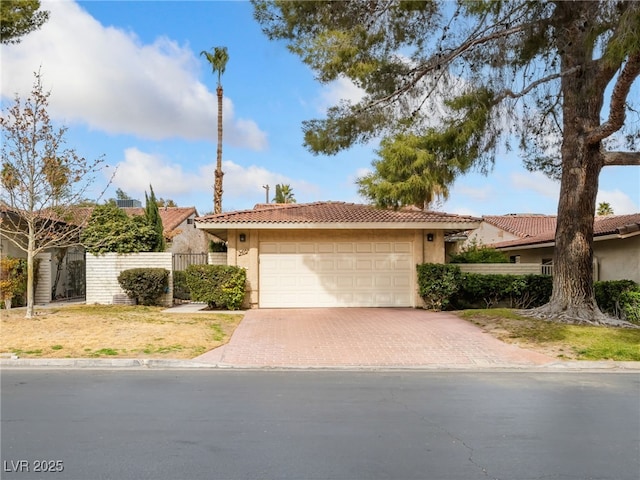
[330,212]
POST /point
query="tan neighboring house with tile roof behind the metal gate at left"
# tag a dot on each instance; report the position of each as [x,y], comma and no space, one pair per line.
[179,229]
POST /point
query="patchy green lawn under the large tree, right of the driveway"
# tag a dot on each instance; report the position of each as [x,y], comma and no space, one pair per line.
[583,342]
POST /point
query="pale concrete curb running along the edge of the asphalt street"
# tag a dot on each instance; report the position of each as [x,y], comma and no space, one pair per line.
[163,364]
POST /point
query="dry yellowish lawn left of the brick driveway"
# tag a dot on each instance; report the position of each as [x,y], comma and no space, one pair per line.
[91,331]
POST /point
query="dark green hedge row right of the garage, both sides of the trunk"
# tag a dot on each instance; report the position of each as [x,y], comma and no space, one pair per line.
[445,287]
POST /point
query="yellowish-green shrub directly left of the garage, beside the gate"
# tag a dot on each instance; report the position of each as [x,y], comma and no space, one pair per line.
[220,286]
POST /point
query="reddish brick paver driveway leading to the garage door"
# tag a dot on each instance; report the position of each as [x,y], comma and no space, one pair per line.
[364,337]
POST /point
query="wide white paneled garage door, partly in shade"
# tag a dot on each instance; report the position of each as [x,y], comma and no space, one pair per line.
[336,274]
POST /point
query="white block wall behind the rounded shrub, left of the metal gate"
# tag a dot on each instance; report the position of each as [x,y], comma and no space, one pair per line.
[103,270]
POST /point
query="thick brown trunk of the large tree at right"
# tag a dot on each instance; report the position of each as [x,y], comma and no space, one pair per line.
[573,297]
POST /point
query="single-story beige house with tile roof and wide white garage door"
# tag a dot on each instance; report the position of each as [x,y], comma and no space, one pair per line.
[329,254]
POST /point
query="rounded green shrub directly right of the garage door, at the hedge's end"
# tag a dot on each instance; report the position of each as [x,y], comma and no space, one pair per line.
[437,283]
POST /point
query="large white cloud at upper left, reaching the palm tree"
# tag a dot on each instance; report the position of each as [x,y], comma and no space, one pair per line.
[108,79]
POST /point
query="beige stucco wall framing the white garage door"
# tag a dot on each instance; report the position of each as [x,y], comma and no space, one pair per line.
[246,254]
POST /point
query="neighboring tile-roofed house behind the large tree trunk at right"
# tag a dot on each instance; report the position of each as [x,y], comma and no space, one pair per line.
[530,239]
